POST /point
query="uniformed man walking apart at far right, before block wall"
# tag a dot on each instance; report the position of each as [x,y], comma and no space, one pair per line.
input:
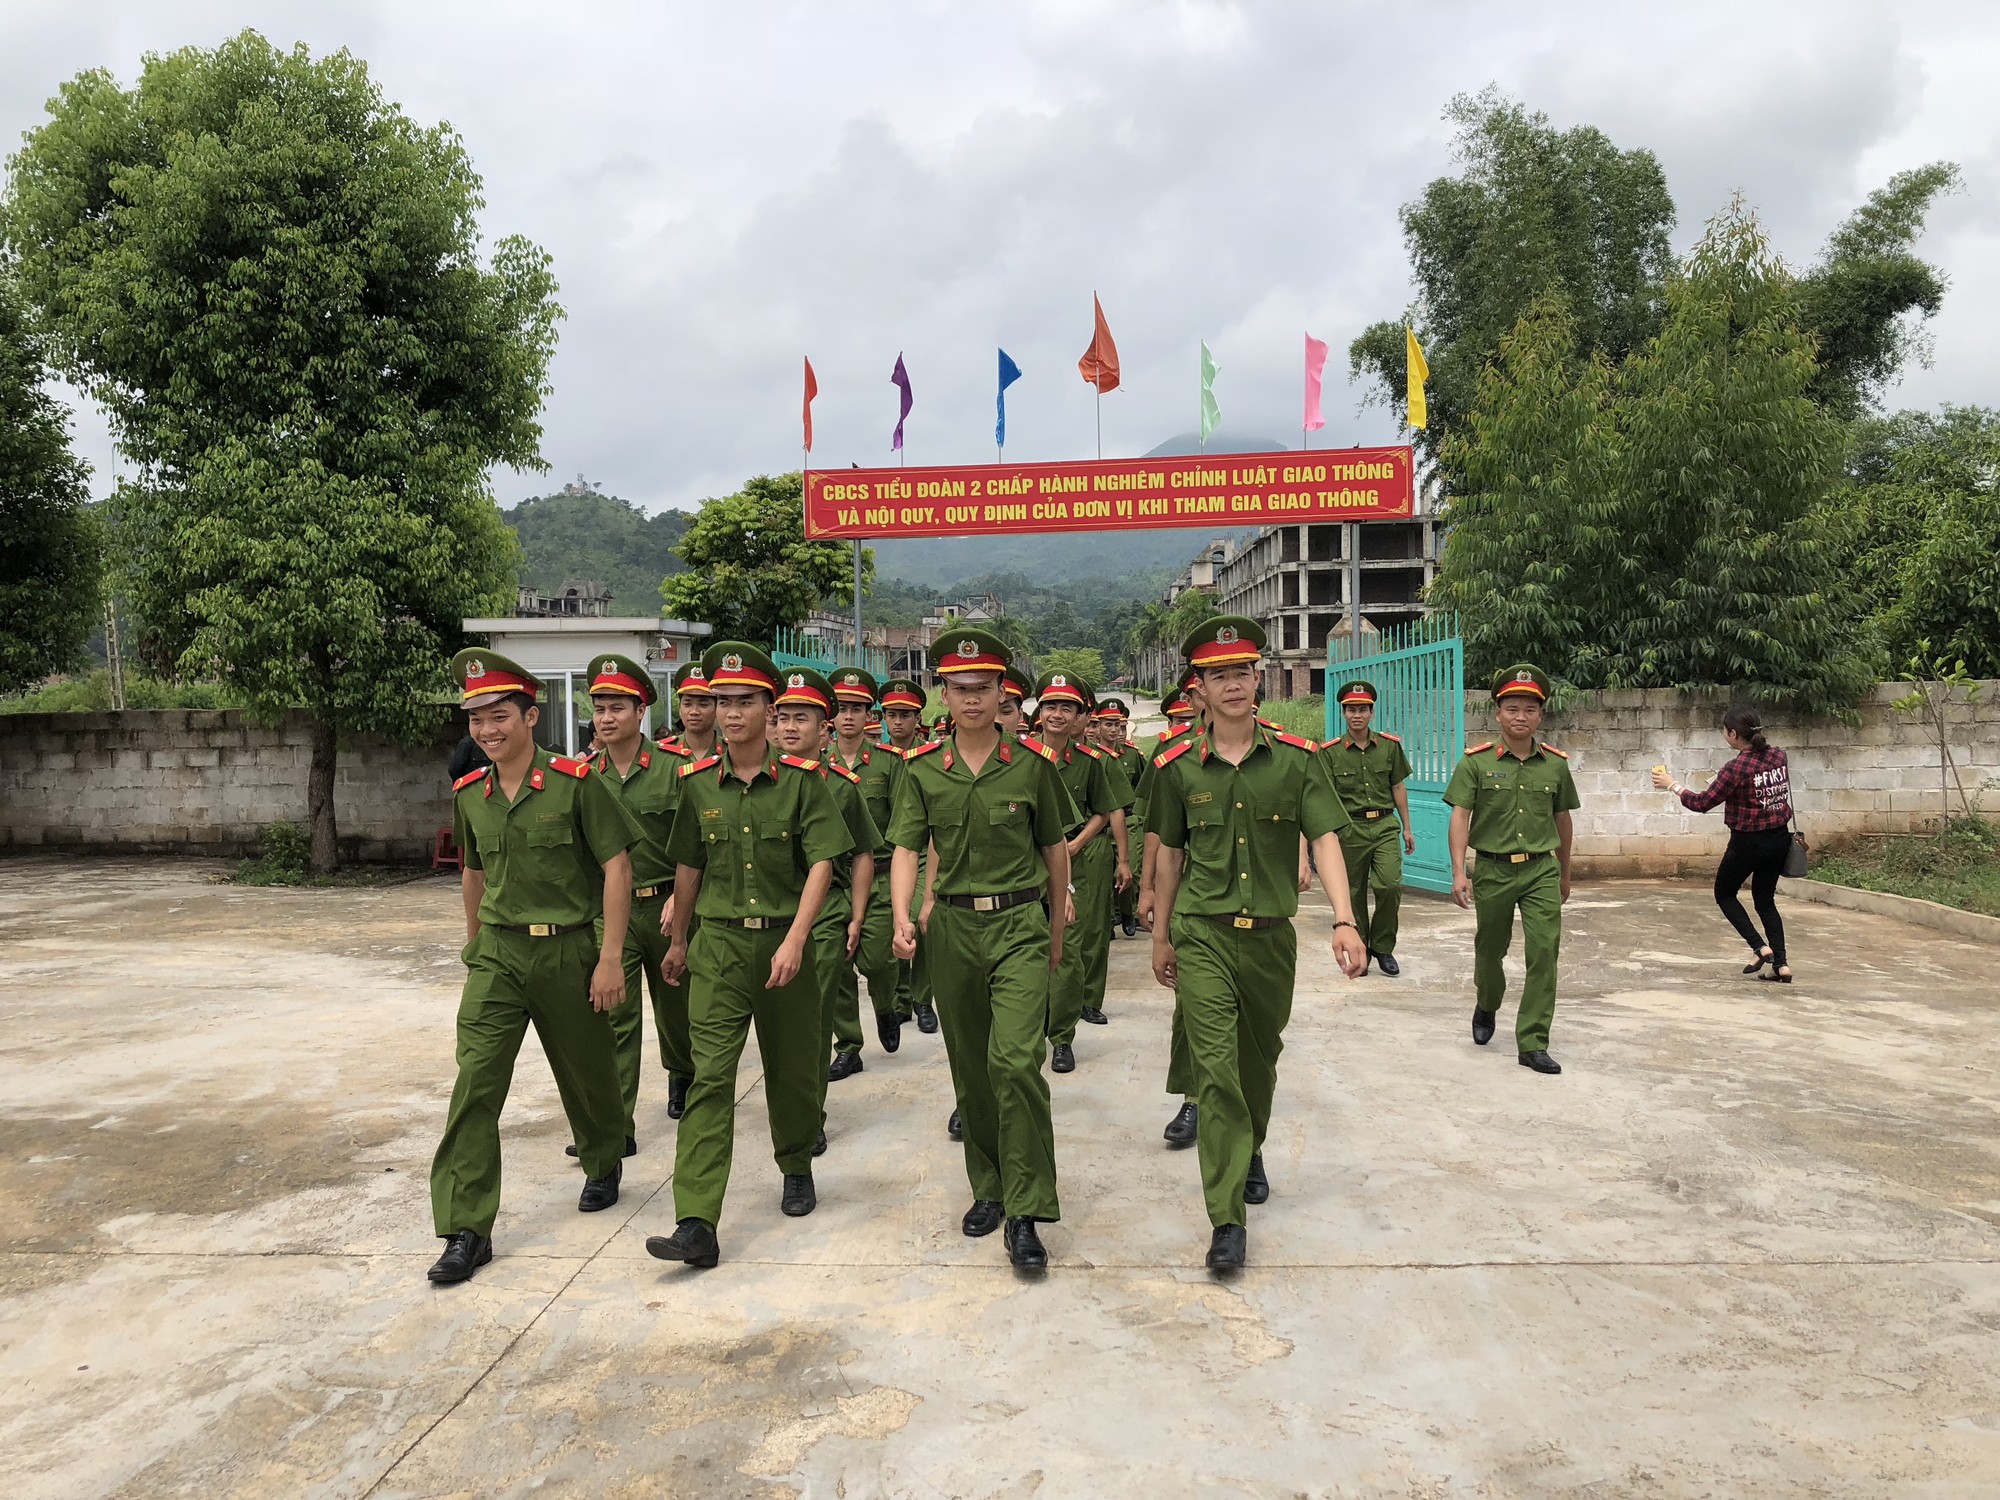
[1511,805]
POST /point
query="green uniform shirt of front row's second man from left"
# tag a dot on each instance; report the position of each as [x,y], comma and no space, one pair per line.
[755,841]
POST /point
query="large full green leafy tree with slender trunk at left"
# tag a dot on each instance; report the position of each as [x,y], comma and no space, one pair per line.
[271,281]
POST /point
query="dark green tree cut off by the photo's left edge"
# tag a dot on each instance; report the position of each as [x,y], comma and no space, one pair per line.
[49,543]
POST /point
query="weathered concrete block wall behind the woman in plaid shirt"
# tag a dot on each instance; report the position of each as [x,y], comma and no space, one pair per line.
[1873,779]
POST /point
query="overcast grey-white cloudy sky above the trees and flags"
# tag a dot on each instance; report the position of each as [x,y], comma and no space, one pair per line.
[727,189]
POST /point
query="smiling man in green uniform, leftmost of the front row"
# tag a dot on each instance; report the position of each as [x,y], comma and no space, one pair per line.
[549,891]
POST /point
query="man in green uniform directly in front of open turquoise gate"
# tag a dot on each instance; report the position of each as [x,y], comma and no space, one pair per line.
[1369,773]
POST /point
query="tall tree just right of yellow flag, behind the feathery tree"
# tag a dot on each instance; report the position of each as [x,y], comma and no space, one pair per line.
[1533,211]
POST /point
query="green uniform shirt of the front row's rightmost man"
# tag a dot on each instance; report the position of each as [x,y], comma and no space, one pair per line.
[1241,825]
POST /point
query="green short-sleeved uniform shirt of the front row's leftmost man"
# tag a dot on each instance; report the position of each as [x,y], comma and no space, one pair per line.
[545,851]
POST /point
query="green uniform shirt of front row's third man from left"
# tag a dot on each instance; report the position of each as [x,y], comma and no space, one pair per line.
[989,829]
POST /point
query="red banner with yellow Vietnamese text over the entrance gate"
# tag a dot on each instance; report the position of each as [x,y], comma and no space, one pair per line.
[1109,495]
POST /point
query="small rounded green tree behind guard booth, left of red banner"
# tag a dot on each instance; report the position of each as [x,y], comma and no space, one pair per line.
[751,567]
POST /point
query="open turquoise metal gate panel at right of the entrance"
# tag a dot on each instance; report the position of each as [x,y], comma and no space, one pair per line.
[1419,673]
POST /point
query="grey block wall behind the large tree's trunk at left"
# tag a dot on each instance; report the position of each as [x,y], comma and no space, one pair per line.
[189,783]
